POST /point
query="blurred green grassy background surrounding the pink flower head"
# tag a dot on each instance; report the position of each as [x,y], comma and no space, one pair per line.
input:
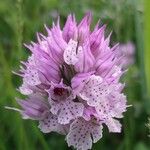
[19,22]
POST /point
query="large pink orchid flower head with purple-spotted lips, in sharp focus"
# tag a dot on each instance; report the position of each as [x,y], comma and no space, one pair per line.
[72,81]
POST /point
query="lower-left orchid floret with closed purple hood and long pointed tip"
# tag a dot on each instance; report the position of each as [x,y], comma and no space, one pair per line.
[37,108]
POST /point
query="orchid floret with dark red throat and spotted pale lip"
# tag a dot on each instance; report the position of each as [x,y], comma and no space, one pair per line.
[63,103]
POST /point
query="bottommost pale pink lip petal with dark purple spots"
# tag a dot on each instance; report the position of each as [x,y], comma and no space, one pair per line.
[83,133]
